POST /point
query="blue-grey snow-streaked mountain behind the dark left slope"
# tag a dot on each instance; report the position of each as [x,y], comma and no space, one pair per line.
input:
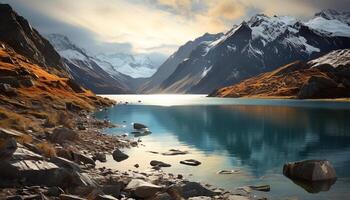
[86,69]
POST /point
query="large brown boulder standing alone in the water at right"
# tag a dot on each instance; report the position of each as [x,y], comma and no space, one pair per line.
[310,170]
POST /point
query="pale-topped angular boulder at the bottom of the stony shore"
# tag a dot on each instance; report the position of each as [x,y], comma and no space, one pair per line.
[142,189]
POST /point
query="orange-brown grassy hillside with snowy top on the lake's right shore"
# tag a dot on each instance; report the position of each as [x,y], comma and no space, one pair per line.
[325,77]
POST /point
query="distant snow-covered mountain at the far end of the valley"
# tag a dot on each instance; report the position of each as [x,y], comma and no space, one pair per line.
[136,66]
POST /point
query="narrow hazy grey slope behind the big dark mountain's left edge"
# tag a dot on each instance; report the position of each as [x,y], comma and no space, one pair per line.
[169,66]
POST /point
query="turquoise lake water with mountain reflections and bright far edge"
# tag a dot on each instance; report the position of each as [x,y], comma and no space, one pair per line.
[255,137]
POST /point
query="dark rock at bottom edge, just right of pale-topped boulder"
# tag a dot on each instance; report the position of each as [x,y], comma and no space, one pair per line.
[194,189]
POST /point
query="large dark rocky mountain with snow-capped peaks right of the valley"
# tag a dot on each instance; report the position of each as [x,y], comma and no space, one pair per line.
[259,45]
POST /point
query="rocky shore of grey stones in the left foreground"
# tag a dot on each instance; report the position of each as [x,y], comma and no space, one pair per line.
[61,165]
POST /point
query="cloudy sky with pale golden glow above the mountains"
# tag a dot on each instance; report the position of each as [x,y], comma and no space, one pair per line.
[151,26]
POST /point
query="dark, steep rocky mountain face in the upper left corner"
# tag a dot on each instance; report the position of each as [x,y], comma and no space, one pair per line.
[16,32]
